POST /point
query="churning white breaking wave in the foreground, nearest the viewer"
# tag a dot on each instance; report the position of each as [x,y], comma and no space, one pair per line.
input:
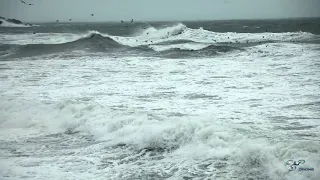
[197,144]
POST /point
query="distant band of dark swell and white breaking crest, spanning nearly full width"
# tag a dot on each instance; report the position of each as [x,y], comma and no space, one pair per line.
[175,38]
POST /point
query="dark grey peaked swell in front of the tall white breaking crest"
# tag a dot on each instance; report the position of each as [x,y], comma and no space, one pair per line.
[95,42]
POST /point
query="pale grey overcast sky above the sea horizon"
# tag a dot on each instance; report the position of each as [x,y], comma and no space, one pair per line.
[143,10]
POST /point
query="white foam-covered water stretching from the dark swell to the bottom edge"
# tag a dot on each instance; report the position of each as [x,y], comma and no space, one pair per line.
[239,115]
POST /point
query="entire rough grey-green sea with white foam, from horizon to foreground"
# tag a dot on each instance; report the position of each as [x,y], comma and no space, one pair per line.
[205,100]
